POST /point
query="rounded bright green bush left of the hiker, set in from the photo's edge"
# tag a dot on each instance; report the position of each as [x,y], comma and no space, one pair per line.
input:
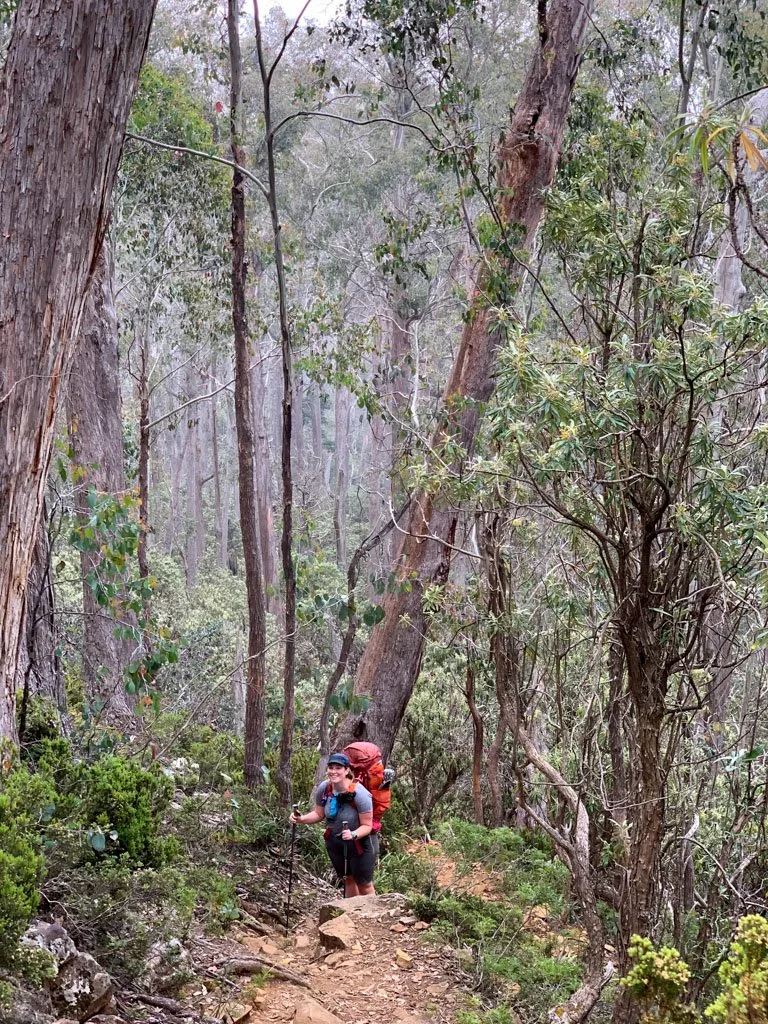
[123,807]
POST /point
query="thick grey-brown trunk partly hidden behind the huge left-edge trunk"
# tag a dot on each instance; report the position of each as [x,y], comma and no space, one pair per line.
[96,426]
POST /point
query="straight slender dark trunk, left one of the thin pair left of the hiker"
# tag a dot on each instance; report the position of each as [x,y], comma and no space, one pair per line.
[254,732]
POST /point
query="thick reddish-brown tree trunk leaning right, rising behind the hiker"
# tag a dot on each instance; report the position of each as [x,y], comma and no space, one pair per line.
[527,160]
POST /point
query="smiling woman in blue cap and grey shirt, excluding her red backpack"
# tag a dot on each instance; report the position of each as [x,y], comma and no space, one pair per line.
[342,802]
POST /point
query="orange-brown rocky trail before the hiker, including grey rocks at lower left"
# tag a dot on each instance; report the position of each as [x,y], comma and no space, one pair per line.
[363,961]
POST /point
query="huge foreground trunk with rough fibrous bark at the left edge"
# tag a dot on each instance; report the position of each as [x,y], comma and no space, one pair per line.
[66,91]
